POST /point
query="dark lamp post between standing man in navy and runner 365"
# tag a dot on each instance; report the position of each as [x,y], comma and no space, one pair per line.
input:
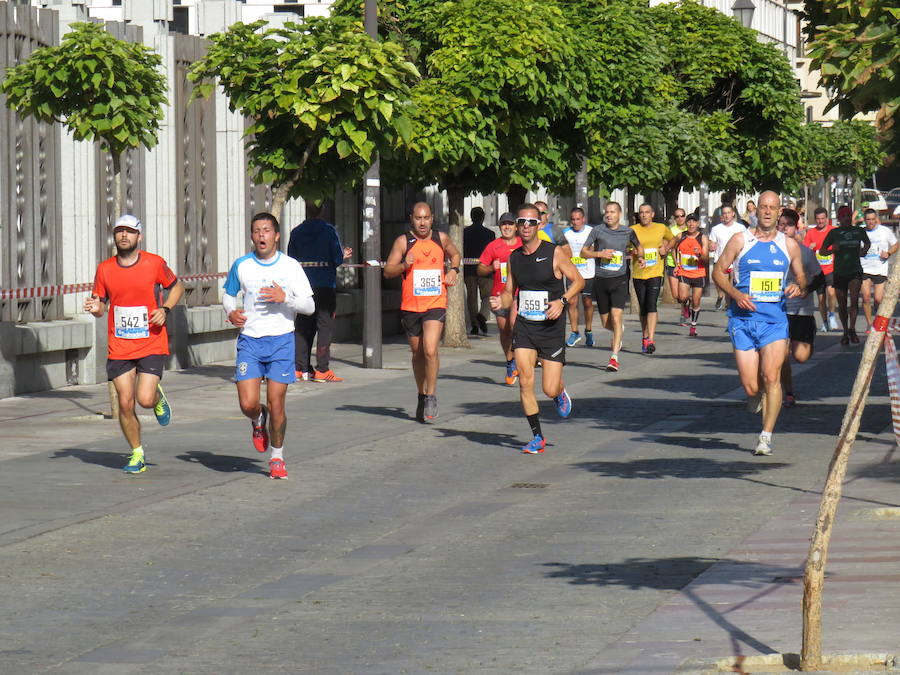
[371,234]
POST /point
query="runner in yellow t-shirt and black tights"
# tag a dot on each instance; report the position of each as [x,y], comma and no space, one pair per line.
[655,239]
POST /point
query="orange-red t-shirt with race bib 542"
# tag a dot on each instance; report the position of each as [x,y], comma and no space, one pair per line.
[132,293]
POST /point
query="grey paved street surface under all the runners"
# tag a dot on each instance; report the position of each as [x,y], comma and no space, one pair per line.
[647,537]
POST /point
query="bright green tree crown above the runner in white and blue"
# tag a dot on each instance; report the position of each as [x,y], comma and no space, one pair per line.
[324,98]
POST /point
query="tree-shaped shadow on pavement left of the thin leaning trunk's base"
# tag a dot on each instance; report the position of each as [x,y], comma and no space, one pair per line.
[675,574]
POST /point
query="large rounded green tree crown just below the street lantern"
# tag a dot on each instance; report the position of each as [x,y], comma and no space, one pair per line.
[720,108]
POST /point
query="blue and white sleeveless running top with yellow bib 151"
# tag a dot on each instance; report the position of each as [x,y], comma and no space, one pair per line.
[760,271]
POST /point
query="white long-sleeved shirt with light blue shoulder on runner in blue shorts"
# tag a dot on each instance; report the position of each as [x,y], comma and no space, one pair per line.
[249,274]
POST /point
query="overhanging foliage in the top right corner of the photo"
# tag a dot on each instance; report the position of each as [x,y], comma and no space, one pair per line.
[855,44]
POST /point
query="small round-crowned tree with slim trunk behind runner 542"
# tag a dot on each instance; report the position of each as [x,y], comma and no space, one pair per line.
[99,87]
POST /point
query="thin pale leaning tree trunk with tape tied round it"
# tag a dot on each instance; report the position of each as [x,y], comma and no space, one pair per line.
[814,573]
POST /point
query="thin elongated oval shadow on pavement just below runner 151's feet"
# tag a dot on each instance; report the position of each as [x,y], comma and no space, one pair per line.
[680,467]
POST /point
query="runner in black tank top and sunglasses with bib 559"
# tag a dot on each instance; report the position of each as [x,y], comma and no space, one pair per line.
[535,276]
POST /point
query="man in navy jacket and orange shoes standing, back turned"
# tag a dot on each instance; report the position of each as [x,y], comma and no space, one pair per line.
[315,244]
